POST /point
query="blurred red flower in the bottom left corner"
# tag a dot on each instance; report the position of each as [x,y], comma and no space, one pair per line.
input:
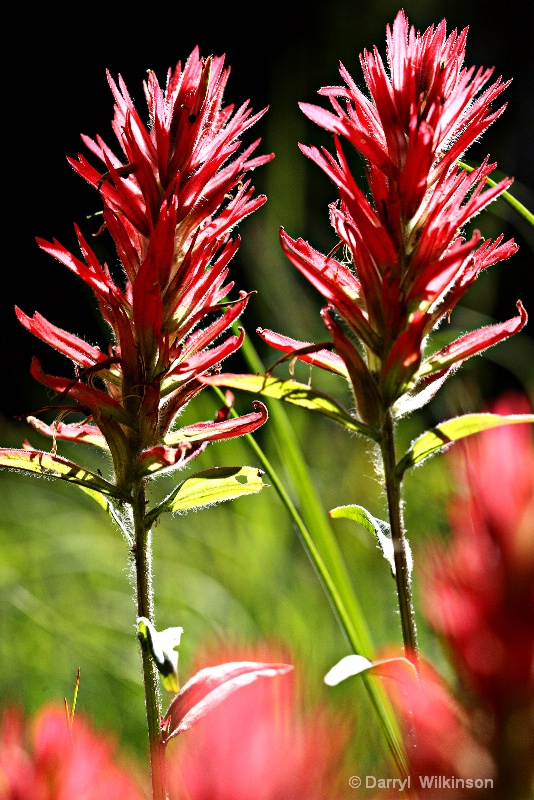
[49,760]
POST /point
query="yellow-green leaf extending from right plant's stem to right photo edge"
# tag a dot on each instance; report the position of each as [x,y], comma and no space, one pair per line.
[451,431]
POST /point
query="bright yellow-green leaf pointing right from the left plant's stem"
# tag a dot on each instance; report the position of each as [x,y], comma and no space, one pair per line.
[210,486]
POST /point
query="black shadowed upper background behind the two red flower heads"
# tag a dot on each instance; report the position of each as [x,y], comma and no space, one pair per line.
[54,79]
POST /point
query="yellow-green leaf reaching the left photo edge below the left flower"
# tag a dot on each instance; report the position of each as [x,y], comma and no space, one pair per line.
[46,465]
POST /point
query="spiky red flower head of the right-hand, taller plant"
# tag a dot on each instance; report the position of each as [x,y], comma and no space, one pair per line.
[407,262]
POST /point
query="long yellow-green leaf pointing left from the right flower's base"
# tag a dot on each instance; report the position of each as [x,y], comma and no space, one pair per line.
[298,394]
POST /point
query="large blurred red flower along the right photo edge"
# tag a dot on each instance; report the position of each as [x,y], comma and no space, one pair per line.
[479,591]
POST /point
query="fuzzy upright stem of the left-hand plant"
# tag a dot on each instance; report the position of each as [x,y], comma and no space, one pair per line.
[142,551]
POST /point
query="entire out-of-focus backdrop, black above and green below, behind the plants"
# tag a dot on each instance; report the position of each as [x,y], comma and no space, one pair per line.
[236,573]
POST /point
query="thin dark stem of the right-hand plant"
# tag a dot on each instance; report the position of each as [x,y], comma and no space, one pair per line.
[402,573]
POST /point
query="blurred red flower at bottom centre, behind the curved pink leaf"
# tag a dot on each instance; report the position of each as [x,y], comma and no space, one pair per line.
[260,744]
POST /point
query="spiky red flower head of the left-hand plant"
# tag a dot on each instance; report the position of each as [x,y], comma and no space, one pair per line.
[170,203]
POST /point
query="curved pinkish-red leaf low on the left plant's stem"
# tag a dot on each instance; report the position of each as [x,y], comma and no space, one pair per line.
[211,686]
